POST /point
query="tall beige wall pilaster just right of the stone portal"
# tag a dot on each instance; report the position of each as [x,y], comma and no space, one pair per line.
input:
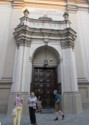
[77,48]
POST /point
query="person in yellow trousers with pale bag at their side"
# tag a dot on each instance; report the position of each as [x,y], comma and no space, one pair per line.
[18,105]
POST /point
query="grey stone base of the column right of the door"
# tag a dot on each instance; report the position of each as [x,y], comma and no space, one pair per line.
[71,103]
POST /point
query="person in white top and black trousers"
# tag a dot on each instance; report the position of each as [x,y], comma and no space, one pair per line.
[32,100]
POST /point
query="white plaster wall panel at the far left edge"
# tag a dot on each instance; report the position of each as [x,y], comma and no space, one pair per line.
[5,19]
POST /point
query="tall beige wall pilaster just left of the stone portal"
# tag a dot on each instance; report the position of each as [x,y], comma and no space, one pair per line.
[11,47]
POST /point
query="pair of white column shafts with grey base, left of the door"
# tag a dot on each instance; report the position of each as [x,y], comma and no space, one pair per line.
[21,77]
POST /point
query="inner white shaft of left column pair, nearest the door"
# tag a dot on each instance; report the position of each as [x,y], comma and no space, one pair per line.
[27,71]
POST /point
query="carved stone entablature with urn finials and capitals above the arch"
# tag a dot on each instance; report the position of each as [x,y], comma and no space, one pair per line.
[45,29]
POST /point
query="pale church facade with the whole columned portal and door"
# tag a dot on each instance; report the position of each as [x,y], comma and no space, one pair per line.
[44,46]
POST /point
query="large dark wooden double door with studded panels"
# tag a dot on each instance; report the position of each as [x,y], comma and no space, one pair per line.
[43,84]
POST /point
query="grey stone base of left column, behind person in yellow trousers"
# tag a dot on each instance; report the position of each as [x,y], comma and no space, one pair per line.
[11,104]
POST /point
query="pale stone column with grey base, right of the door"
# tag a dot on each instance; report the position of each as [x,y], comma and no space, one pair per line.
[71,97]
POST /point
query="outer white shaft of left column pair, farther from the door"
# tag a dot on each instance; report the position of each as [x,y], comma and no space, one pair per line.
[18,69]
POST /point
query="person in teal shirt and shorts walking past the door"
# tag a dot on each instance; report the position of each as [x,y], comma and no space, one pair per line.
[57,105]
